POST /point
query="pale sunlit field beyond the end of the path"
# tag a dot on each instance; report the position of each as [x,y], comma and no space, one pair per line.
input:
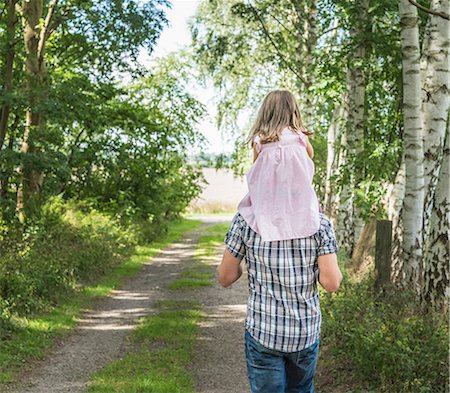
[222,192]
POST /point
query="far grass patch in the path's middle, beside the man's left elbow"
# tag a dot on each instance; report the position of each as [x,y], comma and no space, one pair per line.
[205,254]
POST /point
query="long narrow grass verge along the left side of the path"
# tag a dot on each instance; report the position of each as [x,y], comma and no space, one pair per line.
[29,338]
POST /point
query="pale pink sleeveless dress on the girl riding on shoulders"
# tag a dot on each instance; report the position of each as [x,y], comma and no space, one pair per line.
[281,203]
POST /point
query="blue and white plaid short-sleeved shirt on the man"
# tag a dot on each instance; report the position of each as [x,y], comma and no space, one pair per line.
[283,311]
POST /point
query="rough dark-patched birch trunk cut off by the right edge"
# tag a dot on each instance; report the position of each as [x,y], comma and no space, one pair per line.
[436,267]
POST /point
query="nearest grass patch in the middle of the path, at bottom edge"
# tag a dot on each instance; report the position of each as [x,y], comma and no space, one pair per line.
[165,343]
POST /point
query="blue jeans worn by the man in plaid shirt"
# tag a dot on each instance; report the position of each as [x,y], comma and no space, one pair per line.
[271,371]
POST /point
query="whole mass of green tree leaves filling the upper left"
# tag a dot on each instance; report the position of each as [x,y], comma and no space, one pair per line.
[122,146]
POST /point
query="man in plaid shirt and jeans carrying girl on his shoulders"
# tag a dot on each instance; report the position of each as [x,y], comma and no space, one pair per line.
[283,314]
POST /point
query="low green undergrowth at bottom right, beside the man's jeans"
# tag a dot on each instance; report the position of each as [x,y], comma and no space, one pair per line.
[386,339]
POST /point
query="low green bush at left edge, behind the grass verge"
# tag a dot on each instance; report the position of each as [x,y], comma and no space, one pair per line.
[61,249]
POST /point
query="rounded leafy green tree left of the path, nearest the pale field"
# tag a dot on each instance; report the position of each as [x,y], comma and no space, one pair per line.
[135,162]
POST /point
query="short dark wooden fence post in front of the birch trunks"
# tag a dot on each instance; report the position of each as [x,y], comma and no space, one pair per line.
[383,246]
